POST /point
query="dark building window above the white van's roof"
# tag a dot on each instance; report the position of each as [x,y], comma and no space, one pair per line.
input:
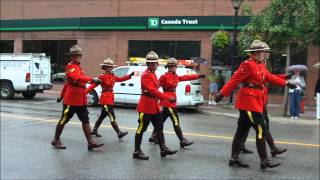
[165,49]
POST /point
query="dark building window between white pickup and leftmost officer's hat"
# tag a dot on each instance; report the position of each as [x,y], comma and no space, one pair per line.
[56,49]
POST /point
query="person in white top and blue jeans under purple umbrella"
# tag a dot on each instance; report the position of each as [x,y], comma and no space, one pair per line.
[295,95]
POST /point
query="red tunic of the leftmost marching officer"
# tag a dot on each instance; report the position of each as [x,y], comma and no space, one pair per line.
[74,90]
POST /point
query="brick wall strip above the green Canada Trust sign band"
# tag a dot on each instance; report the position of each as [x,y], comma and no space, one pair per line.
[35,9]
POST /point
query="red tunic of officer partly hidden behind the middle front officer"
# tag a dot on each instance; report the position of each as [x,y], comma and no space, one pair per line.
[169,82]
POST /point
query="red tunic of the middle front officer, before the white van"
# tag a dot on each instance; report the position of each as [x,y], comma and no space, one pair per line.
[148,102]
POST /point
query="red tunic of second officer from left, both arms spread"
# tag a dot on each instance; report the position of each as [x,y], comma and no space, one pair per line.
[107,83]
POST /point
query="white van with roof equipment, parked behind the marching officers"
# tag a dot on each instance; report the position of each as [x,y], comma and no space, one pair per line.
[129,92]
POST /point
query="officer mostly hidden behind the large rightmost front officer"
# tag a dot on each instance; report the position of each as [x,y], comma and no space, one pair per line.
[274,149]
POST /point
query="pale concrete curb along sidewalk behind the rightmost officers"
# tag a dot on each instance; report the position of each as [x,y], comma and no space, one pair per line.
[280,120]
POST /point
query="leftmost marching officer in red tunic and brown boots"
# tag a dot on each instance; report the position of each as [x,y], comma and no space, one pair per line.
[75,100]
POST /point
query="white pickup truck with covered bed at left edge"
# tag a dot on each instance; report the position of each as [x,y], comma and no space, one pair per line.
[26,73]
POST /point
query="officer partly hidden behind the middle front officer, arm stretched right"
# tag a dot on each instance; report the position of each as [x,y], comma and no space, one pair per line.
[169,82]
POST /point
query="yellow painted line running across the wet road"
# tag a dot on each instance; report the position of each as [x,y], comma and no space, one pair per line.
[167,132]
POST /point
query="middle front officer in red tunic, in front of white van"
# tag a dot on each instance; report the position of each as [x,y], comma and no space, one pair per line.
[149,109]
